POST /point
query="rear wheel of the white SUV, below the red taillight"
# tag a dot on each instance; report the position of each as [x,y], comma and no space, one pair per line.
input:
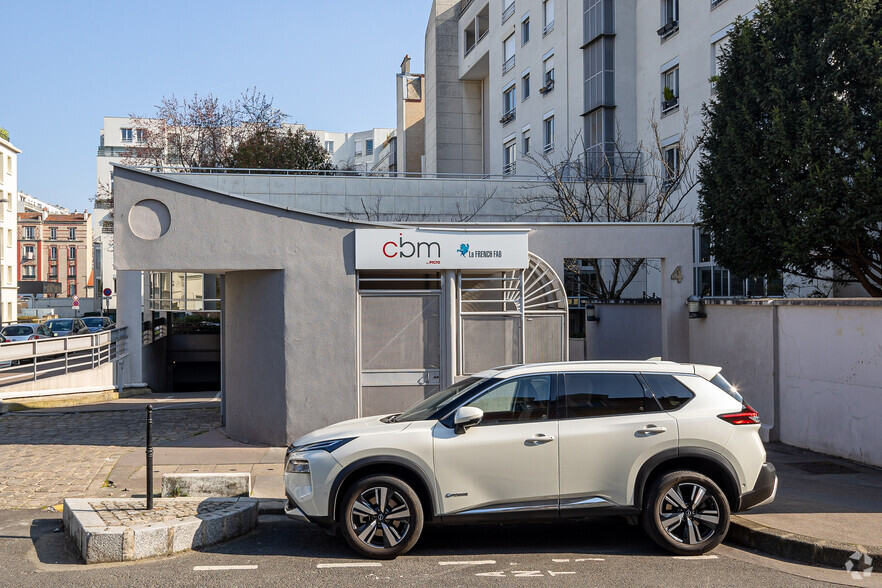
[686,513]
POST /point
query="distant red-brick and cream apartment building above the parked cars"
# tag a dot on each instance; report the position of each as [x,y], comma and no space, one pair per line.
[57,248]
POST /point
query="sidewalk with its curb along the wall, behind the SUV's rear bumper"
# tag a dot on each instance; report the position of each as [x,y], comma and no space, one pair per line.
[826,509]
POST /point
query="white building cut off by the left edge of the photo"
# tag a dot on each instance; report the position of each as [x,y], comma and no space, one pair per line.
[8,260]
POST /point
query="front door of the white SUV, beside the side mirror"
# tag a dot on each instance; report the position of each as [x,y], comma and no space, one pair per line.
[508,462]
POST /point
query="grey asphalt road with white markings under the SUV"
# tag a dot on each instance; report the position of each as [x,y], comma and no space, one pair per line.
[281,552]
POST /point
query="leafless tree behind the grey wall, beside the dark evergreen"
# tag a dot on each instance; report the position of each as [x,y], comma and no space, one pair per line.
[646,184]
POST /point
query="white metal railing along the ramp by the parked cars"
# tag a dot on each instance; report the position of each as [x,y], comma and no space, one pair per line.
[29,361]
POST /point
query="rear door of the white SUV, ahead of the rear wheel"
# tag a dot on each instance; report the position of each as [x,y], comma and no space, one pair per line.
[610,425]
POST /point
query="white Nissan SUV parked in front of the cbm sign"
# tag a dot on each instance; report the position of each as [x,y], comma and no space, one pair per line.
[673,443]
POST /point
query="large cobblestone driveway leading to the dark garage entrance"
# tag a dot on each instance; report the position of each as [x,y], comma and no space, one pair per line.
[45,458]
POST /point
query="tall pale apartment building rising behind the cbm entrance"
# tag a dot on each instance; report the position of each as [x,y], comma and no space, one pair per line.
[597,80]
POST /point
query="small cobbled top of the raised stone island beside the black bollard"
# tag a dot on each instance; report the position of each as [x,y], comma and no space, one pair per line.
[123,513]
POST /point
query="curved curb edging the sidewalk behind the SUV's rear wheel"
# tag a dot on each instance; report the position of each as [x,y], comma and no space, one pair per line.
[794,546]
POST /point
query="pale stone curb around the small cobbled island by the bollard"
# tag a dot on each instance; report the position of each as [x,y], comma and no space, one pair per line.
[100,543]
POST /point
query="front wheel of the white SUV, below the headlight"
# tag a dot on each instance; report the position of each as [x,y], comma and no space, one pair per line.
[381,517]
